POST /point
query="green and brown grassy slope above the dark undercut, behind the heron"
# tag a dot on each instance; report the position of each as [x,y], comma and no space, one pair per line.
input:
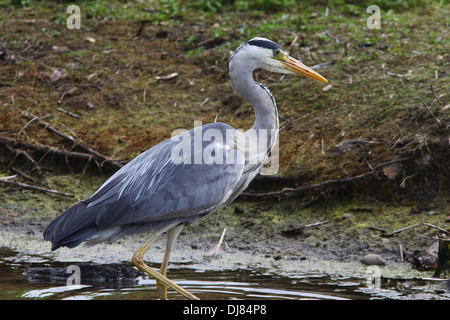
[376,76]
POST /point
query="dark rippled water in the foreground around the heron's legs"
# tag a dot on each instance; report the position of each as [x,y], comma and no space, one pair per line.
[244,284]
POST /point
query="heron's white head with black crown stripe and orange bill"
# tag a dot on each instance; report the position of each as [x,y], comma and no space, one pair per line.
[266,54]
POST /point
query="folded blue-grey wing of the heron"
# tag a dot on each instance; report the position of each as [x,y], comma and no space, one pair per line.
[150,192]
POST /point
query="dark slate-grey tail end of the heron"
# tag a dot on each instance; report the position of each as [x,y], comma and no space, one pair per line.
[71,228]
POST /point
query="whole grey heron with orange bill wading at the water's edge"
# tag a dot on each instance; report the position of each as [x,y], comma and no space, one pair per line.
[184,178]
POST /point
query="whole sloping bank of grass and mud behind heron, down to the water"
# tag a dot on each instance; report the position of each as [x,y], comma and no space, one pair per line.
[107,86]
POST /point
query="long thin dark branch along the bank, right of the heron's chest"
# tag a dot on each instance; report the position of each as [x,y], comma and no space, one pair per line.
[325,183]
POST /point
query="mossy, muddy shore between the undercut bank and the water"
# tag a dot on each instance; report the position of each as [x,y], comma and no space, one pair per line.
[266,231]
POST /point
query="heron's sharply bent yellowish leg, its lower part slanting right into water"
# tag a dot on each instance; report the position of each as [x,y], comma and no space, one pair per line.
[138,260]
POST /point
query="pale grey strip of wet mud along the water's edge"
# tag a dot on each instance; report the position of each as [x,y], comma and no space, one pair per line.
[281,257]
